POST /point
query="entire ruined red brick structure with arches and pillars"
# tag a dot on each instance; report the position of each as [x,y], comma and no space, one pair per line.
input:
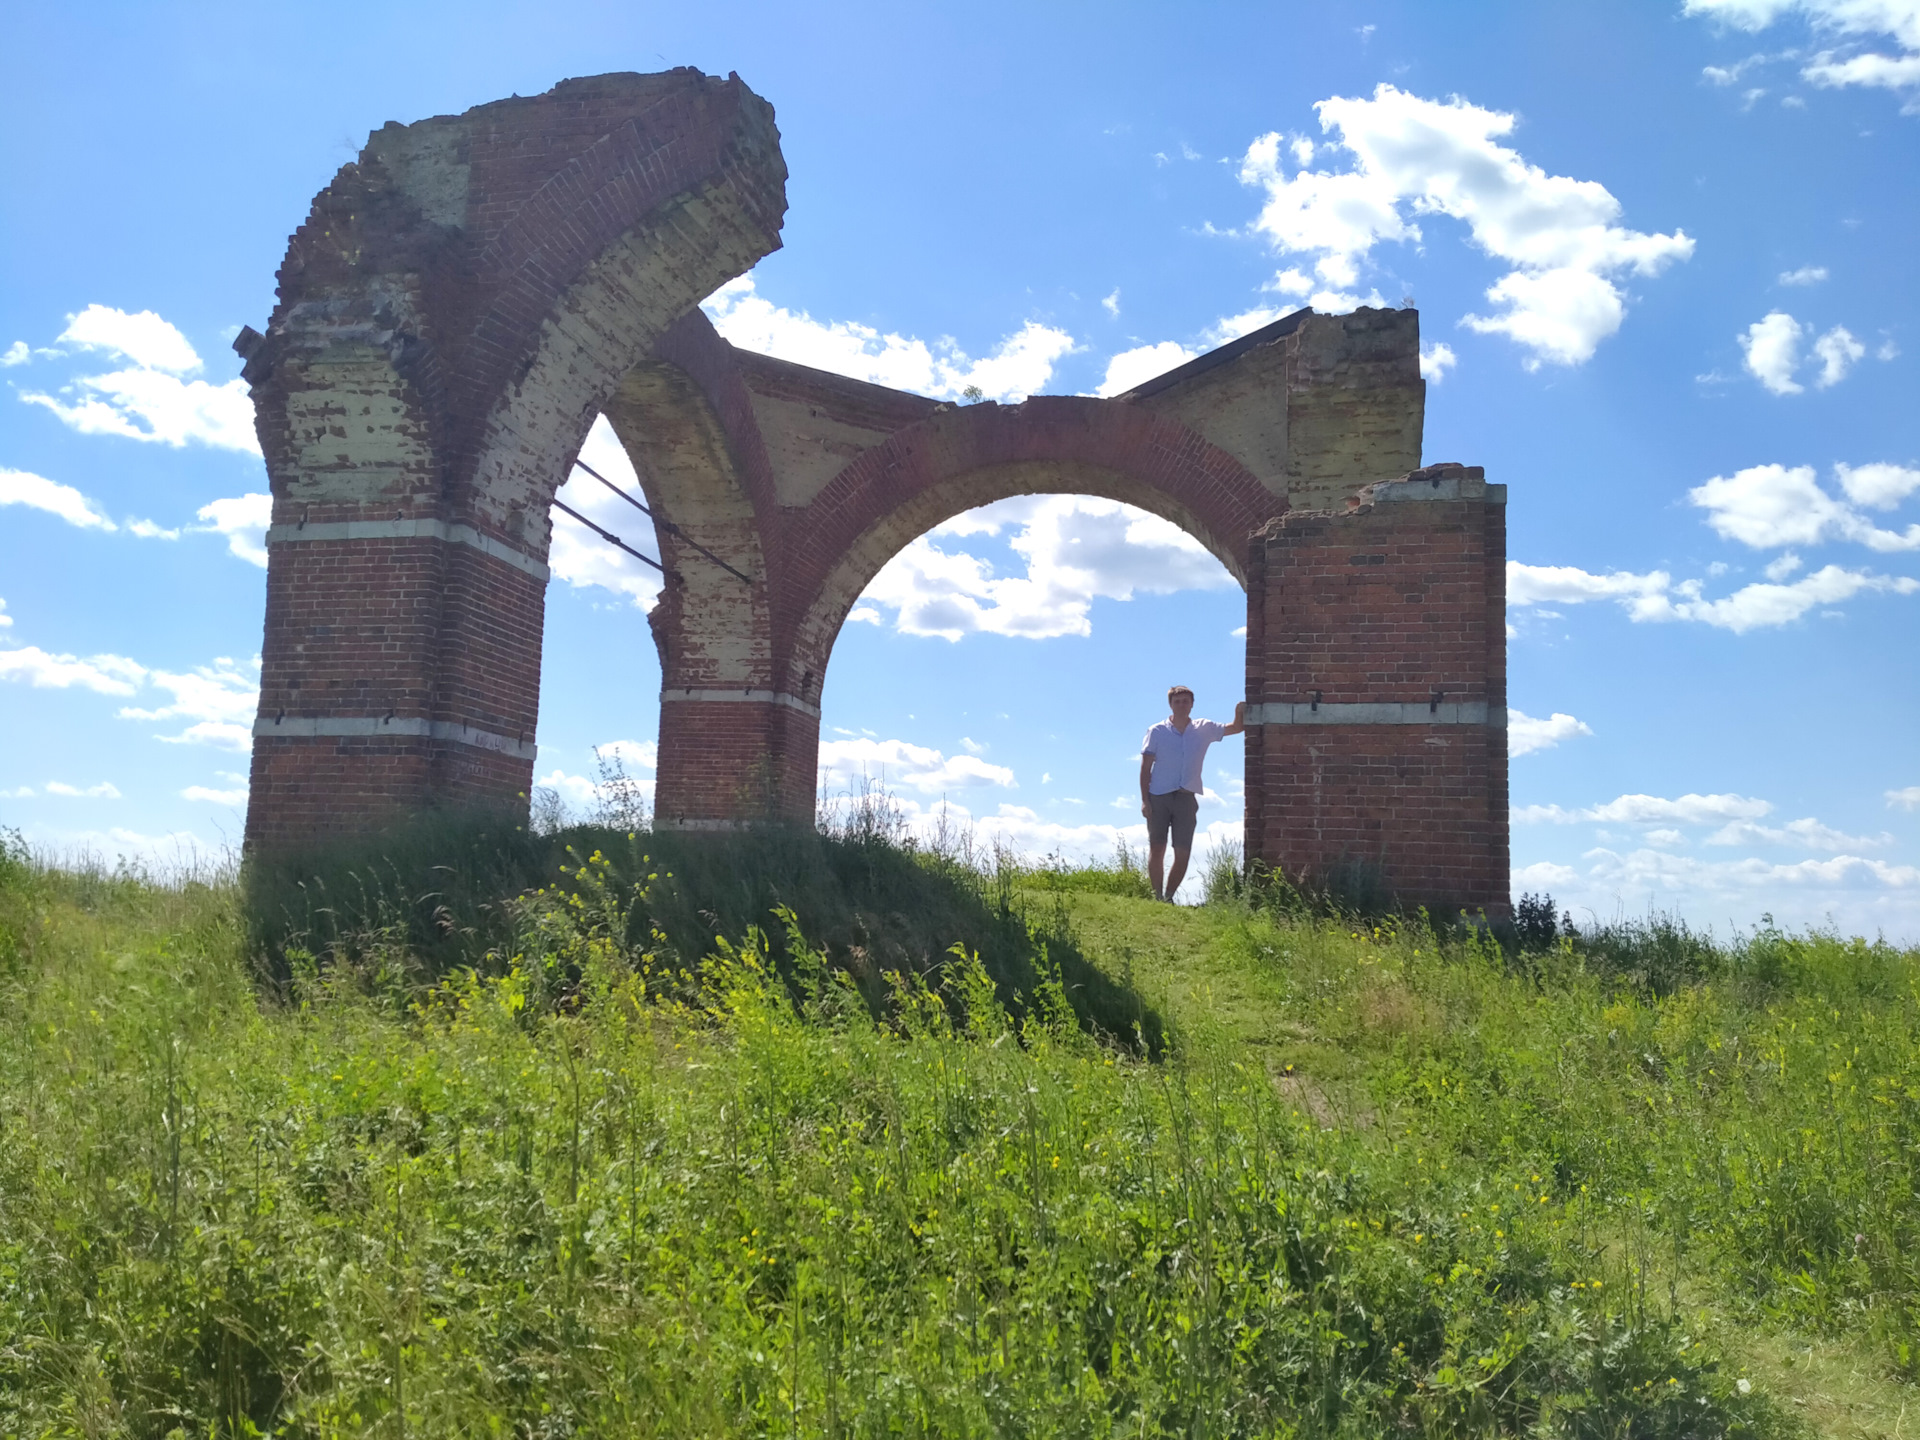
[473,291]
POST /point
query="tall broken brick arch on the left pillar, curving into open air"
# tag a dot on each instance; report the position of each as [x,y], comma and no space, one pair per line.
[460,306]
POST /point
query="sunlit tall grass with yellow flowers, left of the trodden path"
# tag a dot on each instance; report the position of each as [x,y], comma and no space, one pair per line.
[706,1203]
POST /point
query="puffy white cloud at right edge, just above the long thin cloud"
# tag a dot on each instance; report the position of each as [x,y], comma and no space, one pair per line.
[1769,506]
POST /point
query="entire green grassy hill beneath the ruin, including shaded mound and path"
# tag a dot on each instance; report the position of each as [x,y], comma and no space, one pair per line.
[556,1145]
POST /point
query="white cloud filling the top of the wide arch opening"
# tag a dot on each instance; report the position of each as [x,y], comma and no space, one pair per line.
[1076,550]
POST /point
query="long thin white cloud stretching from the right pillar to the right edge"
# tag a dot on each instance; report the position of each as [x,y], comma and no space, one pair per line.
[1658,596]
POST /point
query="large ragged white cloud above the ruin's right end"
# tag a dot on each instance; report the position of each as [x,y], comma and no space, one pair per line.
[1404,158]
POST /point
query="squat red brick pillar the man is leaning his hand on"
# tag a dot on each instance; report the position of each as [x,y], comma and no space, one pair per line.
[1378,692]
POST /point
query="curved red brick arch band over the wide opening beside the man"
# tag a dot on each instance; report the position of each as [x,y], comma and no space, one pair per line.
[974,456]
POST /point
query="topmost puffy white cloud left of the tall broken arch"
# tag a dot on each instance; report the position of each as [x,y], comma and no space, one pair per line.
[151,395]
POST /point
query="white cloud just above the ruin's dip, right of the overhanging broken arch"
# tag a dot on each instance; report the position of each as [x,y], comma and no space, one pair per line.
[1019,368]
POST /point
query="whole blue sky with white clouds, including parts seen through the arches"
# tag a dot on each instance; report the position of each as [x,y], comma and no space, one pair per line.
[1664,258]
